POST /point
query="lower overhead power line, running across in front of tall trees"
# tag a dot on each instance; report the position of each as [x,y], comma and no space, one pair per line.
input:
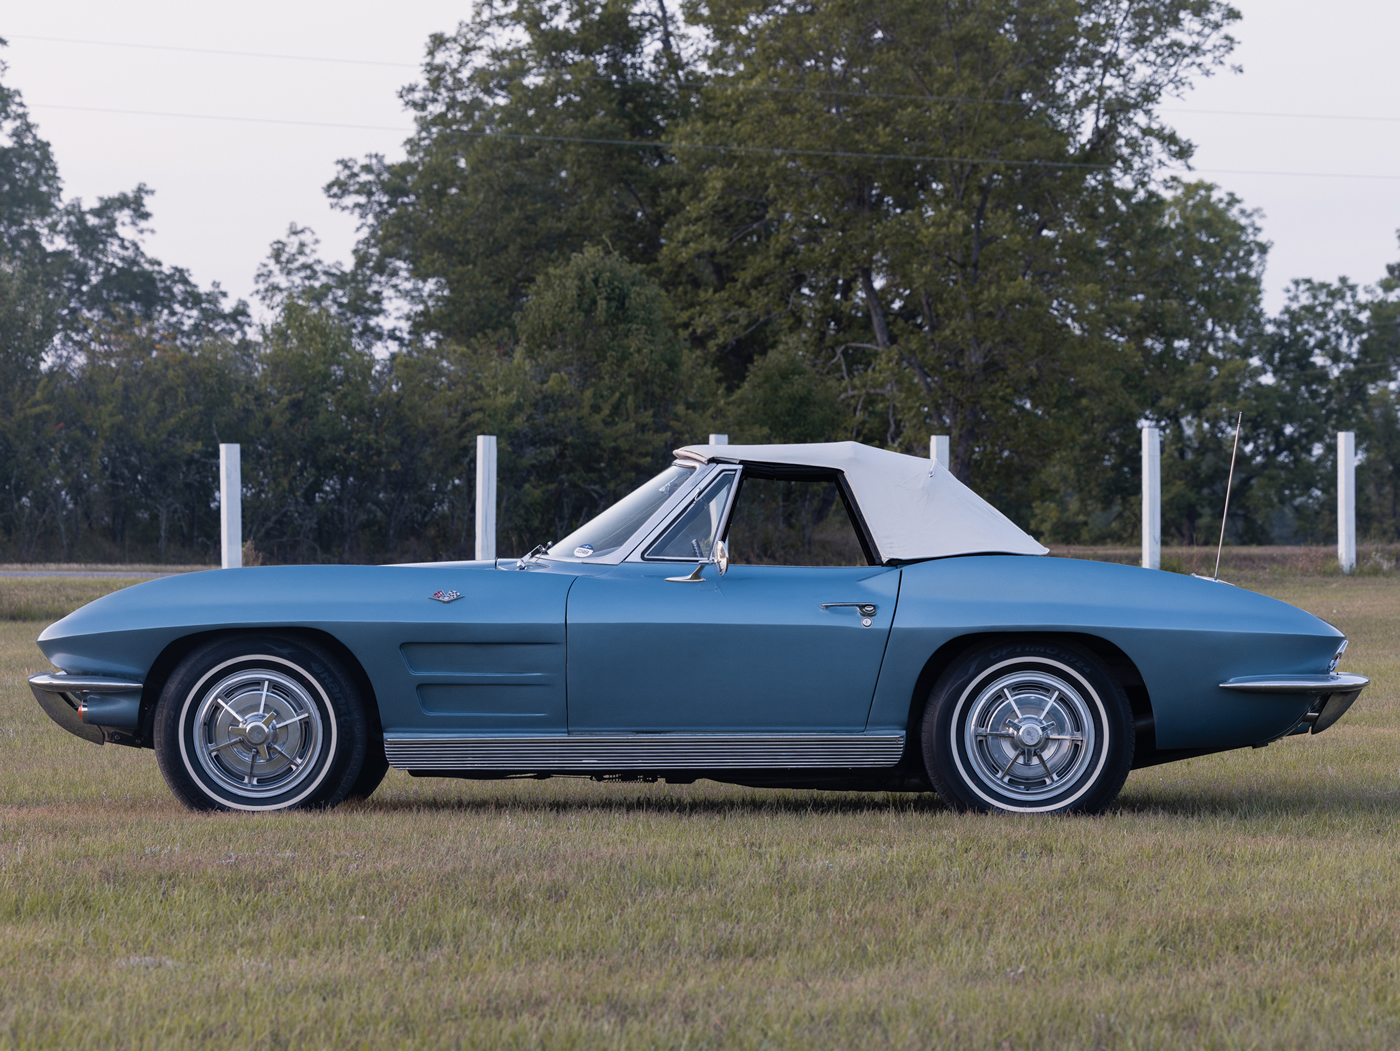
[713,148]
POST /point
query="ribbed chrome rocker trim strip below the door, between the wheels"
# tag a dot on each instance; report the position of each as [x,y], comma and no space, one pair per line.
[615,752]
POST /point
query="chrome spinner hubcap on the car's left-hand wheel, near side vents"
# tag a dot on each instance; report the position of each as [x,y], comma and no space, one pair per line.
[258,733]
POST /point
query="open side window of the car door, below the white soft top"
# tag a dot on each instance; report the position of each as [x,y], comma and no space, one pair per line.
[780,521]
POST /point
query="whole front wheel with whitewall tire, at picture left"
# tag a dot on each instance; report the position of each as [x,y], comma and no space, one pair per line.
[261,723]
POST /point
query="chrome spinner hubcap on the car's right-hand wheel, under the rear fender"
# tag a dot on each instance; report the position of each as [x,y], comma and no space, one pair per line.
[1030,735]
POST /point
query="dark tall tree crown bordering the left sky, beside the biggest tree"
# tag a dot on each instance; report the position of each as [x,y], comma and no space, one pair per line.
[492,192]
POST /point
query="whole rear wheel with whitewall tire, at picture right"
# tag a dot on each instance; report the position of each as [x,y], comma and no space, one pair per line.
[1028,728]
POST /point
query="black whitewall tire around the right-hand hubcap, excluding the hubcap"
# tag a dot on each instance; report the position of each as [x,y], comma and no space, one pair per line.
[950,702]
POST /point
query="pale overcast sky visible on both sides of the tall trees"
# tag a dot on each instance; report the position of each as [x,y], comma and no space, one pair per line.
[1324,73]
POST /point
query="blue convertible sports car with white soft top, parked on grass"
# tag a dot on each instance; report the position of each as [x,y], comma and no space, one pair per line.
[829,616]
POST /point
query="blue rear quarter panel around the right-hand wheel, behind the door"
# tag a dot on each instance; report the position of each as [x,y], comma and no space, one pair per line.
[1186,636]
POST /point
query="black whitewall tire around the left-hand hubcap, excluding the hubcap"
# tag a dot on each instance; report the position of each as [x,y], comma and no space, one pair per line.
[334,692]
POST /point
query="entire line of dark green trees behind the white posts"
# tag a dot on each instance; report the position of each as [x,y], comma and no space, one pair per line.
[619,227]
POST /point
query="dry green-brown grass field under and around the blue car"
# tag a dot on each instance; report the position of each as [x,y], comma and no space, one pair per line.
[1247,901]
